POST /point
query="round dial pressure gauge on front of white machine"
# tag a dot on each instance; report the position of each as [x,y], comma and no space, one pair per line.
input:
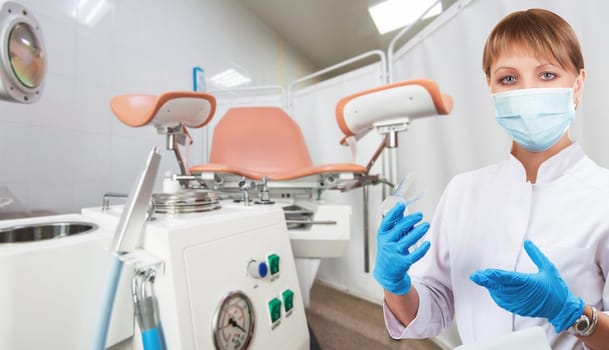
[233,325]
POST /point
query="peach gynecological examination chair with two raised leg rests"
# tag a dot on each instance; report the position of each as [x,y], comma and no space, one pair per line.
[259,156]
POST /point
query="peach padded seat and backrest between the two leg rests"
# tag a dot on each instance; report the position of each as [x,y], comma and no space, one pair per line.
[258,142]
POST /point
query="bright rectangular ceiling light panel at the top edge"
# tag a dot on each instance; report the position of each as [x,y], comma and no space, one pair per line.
[390,15]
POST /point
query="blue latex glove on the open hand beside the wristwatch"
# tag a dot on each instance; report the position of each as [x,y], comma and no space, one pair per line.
[541,294]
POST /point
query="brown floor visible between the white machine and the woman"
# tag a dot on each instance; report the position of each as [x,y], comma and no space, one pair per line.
[339,321]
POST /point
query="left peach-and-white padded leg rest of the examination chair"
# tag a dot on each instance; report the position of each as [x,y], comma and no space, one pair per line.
[192,109]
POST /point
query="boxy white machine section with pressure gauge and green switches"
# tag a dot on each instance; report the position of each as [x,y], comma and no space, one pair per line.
[223,278]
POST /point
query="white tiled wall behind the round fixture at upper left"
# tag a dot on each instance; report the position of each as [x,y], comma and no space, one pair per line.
[64,151]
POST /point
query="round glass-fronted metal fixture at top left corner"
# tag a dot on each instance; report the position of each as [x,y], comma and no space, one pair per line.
[22,55]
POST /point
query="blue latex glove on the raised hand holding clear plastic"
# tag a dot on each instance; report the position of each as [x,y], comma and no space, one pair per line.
[395,235]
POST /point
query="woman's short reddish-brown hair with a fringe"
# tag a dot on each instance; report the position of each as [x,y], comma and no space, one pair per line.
[538,30]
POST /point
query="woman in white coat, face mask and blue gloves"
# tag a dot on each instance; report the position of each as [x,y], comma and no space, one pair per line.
[521,243]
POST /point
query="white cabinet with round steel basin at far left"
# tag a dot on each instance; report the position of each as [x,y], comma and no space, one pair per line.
[53,275]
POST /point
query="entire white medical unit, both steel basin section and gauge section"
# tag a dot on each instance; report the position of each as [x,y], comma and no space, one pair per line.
[224,278]
